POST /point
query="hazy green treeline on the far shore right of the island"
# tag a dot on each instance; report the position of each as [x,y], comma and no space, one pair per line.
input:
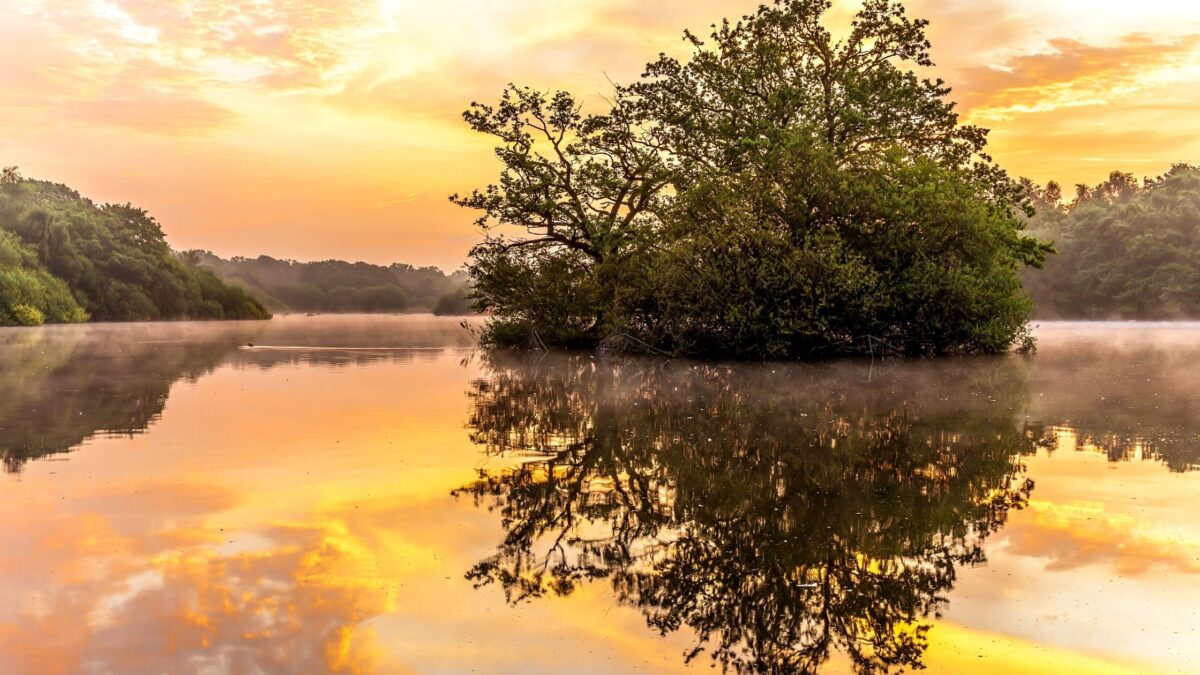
[1127,249]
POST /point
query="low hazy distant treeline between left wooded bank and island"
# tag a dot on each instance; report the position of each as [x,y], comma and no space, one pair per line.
[339,286]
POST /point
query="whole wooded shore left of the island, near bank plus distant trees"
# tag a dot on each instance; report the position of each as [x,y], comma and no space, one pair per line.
[65,259]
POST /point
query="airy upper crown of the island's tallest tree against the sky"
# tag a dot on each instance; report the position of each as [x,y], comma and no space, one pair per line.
[753,83]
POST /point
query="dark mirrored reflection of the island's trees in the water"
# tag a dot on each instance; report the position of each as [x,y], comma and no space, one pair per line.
[781,513]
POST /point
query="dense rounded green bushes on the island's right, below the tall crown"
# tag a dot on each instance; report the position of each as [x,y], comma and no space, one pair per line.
[817,258]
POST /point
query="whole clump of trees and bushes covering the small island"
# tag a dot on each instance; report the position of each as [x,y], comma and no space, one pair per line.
[777,195]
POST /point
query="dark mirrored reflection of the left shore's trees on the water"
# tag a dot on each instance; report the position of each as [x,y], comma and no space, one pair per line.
[62,386]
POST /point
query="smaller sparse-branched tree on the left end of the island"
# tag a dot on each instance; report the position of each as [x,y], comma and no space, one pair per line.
[583,188]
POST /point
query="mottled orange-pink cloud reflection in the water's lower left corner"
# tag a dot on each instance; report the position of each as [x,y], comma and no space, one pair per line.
[151,586]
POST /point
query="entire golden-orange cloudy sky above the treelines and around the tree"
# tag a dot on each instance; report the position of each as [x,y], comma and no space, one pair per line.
[332,129]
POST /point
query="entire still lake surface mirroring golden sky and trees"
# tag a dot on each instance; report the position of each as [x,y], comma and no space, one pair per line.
[373,495]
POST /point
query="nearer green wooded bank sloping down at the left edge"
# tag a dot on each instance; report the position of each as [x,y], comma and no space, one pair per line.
[65,259]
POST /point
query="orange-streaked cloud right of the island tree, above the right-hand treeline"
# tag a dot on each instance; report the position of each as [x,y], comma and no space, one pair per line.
[1073,111]
